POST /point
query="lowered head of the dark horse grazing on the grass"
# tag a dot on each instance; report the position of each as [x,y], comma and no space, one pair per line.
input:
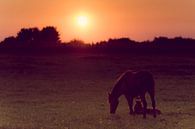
[113,101]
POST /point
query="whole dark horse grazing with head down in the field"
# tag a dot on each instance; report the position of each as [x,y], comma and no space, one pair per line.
[131,85]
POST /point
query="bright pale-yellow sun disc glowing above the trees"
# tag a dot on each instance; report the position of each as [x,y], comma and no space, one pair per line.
[82,21]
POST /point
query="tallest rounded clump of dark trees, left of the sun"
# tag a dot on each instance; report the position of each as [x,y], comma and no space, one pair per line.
[33,37]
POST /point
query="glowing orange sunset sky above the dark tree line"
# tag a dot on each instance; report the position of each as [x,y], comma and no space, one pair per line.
[100,19]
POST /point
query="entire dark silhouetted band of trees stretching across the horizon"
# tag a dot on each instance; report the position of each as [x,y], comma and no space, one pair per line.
[48,40]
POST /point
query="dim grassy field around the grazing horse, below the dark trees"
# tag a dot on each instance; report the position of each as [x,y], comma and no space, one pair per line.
[70,91]
